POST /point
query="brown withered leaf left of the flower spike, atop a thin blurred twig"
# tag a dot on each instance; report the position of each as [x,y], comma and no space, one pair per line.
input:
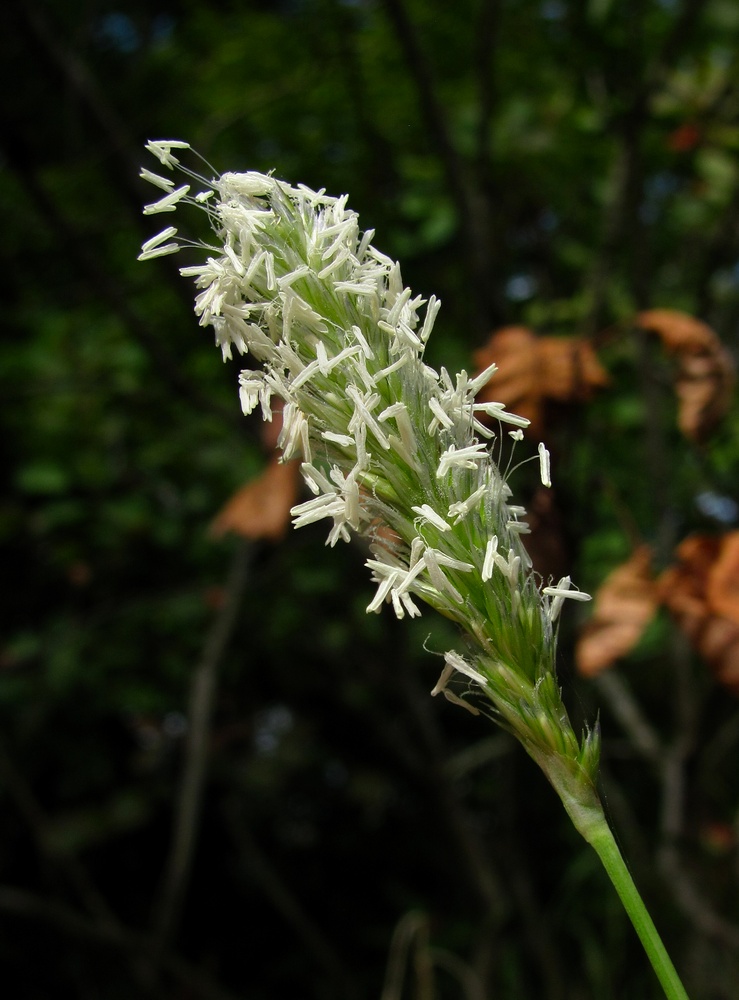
[261,508]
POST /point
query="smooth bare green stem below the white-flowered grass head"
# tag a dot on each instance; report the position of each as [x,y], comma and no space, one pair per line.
[584,807]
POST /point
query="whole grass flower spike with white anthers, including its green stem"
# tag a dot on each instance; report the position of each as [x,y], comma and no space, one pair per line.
[386,442]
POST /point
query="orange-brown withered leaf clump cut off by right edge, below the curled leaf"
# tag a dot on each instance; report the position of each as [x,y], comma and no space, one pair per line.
[700,591]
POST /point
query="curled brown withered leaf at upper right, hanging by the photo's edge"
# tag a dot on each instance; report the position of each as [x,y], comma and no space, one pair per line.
[704,381]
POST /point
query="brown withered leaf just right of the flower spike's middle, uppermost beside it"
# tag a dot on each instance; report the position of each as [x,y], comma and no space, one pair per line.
[534,370]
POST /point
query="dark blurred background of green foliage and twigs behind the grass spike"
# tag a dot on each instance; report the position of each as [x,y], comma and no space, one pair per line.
[218,776]
